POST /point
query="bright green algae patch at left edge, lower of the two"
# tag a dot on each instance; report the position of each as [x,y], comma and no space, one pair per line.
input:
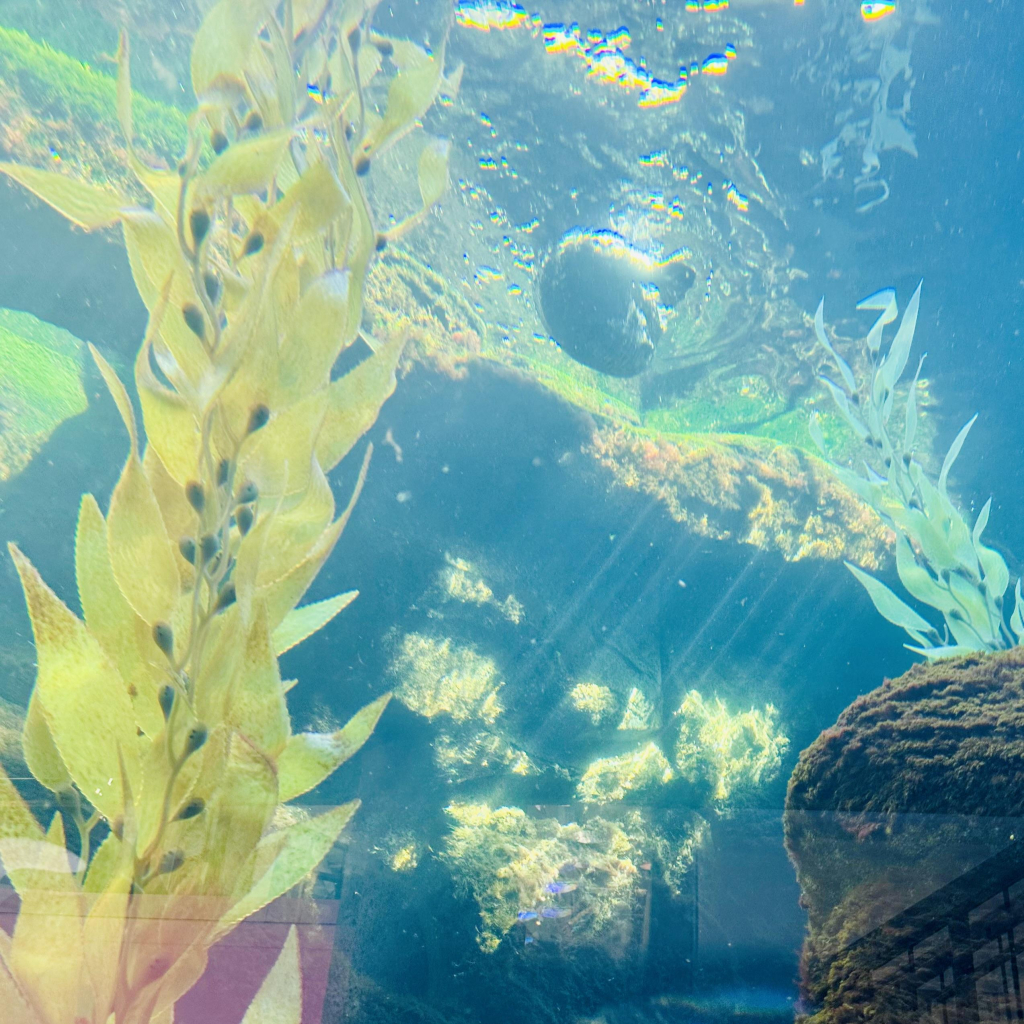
[40,387]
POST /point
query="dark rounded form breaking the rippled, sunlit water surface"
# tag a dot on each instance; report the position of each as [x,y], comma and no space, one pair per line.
[602,301]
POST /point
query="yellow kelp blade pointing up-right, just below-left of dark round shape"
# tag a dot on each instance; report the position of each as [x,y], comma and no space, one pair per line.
[356,401]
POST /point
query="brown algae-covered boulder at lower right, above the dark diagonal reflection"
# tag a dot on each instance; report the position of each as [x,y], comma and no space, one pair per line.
[909,790]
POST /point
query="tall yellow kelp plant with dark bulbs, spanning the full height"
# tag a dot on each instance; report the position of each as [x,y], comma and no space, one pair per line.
[160,721]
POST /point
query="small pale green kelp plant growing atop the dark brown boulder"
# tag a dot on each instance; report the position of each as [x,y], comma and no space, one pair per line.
[941,560]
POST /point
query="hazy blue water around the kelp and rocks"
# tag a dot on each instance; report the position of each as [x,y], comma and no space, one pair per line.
[493,470]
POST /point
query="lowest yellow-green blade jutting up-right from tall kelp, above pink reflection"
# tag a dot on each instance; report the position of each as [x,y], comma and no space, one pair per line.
[303,847]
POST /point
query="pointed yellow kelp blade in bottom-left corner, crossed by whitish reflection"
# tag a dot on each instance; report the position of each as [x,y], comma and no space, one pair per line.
[47,954]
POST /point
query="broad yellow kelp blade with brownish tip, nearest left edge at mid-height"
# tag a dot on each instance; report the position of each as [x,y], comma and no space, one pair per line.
[82,695]
